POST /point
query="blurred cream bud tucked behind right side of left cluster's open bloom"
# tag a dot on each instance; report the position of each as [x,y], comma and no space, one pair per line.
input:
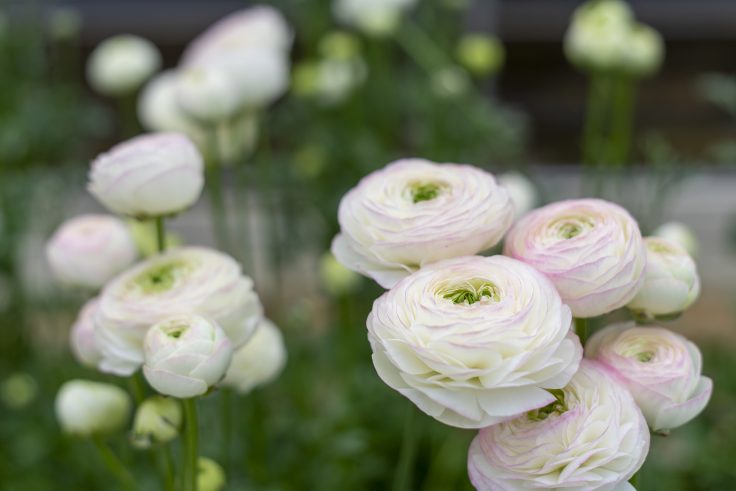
[259,362]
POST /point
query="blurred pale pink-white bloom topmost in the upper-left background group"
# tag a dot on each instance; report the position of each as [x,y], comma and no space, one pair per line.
[260,27]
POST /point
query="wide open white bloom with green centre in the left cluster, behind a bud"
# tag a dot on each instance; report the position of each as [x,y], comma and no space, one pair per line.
[190,280]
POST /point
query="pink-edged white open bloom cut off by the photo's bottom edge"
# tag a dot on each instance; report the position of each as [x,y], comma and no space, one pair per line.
[591,437]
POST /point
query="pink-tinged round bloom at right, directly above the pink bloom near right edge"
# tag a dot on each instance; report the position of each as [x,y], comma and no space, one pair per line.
[591,249]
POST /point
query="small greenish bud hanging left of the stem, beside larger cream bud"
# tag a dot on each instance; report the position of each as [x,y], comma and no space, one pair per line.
[157,420]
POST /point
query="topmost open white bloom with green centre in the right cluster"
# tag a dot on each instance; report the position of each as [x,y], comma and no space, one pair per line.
[414,212]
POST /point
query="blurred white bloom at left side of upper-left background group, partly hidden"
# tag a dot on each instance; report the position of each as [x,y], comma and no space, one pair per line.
[159,109]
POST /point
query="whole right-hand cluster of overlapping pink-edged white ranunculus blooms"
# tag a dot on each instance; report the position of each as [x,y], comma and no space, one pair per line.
[487,342]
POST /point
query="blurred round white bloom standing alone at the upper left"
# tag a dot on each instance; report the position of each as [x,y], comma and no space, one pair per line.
[121,64]
